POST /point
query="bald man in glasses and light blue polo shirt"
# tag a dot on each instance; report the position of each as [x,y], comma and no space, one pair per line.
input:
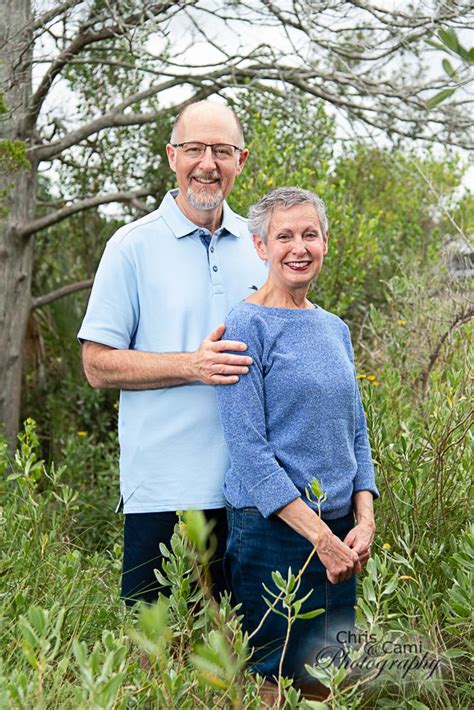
[164,283]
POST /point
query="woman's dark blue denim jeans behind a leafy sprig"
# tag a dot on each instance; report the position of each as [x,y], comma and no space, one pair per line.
[256,547]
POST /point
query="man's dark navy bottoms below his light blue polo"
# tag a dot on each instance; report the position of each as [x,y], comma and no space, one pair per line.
[143,533]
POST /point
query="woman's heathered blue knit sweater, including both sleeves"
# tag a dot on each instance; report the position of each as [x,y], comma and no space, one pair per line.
[297,414]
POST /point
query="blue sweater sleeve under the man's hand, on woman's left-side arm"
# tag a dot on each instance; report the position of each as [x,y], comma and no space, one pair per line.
[242,412]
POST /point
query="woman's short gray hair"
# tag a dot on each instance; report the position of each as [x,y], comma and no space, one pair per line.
[283,198]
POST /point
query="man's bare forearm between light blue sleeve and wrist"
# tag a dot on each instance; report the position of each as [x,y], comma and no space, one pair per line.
[135,370]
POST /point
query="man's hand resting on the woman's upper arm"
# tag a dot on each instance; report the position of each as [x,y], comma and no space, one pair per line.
[214,366]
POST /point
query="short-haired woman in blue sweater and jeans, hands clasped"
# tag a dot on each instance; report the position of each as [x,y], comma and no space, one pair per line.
[296,416]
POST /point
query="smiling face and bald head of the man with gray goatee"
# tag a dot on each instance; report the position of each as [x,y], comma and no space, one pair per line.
[206,181]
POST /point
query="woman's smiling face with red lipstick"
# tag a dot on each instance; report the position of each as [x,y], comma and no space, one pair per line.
[295,246]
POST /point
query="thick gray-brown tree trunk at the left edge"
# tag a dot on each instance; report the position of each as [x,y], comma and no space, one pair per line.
[18,194]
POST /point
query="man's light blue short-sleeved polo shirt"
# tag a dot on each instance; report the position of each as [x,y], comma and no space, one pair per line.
[157,289]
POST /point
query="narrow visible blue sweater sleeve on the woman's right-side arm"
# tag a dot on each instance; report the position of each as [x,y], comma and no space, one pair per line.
[365,477]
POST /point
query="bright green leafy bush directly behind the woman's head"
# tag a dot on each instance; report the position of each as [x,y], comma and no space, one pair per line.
[383,204]
